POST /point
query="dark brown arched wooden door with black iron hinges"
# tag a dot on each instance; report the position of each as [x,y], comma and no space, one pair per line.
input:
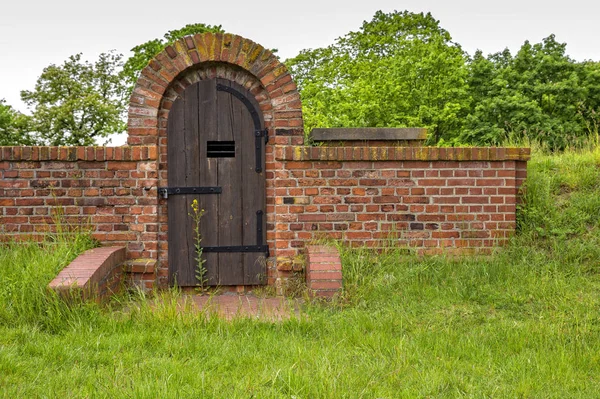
[216,155]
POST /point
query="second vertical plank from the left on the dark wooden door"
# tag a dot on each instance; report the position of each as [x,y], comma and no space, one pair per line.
[207,117]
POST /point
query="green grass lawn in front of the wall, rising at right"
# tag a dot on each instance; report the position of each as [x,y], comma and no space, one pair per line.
[523,323]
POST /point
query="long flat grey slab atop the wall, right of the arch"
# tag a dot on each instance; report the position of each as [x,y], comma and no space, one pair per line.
[368,133]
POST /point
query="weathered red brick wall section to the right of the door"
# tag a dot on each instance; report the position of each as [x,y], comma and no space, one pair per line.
[437,200]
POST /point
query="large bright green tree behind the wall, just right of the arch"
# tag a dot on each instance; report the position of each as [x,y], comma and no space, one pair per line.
[400,69]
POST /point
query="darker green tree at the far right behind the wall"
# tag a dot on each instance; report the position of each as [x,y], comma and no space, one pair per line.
[540,95]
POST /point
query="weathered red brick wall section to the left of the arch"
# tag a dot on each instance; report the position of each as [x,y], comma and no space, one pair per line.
[104,188]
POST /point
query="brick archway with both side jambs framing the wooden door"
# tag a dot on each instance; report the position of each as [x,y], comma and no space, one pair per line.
[207,56]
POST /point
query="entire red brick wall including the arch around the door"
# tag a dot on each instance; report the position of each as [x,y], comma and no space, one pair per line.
[433,199]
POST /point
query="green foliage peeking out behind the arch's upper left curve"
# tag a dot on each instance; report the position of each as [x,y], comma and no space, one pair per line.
[143,53]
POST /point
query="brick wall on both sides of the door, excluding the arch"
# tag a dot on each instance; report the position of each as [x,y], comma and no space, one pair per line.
[435,200]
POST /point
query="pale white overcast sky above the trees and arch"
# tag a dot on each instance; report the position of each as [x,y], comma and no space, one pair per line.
[34,34]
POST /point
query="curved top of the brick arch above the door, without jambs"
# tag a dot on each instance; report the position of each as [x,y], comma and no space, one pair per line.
[228,53]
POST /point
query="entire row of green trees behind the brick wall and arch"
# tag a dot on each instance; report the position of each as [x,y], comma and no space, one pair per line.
[399,69]
